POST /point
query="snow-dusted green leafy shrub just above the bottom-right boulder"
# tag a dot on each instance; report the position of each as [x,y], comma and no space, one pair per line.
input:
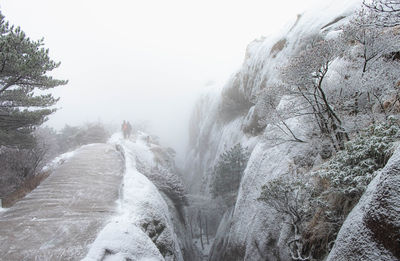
[350,171]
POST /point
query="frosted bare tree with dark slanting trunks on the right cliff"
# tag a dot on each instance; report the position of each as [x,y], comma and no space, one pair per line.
[304,77]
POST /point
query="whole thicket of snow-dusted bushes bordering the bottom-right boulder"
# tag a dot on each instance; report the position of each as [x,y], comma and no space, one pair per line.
[316,205]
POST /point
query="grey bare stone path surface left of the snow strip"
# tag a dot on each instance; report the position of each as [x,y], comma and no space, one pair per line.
[62,217]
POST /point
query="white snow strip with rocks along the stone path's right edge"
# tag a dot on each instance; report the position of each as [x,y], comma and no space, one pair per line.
[141,207]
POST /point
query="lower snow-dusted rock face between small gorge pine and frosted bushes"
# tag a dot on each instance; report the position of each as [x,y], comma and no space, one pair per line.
[253,231]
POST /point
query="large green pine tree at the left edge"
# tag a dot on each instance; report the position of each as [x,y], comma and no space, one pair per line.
[23,67]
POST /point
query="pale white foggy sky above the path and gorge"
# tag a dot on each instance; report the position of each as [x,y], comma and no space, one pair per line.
[144,60]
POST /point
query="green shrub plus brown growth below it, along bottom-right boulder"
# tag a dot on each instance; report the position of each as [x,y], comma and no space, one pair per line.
[342,180]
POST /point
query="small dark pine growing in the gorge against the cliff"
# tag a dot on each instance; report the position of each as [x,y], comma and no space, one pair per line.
[228,172]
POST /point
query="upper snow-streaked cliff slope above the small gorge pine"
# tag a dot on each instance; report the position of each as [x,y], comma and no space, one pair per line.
[231,114]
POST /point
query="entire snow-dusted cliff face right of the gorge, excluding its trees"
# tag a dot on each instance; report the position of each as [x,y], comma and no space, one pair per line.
[250,230]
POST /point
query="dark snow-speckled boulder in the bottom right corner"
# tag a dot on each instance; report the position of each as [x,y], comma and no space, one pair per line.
[372,229]
